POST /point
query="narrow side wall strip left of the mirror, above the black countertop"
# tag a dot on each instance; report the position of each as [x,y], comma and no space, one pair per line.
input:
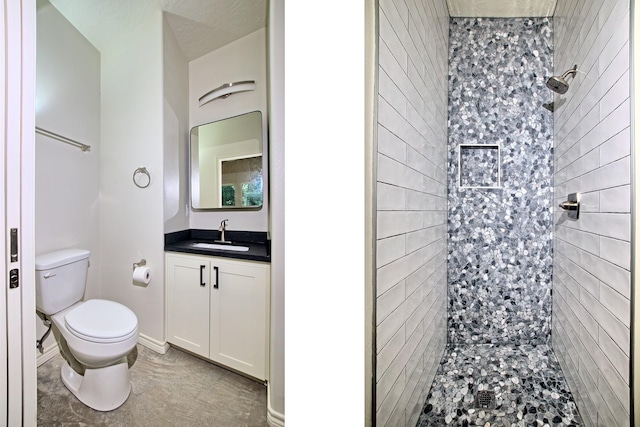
[175,132]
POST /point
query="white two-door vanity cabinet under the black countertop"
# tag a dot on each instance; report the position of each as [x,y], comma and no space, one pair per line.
[218,308]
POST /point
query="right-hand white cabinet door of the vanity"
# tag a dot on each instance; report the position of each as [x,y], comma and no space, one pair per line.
[240,315]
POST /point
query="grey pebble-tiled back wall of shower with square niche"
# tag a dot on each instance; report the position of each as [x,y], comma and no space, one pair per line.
[500,239]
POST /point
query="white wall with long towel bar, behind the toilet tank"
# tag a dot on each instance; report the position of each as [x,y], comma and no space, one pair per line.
[67,179]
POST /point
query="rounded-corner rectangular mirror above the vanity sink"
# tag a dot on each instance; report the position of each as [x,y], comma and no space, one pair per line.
[227,163]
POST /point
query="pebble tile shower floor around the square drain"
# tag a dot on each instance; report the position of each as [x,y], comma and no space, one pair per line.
[530,389]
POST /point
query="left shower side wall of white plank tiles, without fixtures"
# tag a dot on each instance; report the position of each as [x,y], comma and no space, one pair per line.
[411,205]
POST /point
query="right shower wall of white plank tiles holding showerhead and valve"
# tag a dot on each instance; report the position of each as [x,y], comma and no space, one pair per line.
[592,286]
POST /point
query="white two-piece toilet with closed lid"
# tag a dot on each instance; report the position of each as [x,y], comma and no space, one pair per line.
[97,334]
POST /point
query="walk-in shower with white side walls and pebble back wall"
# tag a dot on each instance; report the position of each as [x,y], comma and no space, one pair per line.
[487,298]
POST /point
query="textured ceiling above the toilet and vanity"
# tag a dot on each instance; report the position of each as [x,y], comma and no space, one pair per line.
[199,25]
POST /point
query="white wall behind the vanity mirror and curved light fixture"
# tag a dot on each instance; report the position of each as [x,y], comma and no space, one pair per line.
[244,59]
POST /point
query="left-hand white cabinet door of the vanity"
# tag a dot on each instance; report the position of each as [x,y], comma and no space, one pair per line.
[188,302]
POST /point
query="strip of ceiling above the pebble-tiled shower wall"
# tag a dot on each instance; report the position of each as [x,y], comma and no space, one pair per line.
[501,8]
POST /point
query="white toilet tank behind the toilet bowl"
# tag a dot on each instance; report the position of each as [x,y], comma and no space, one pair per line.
[61,277]
